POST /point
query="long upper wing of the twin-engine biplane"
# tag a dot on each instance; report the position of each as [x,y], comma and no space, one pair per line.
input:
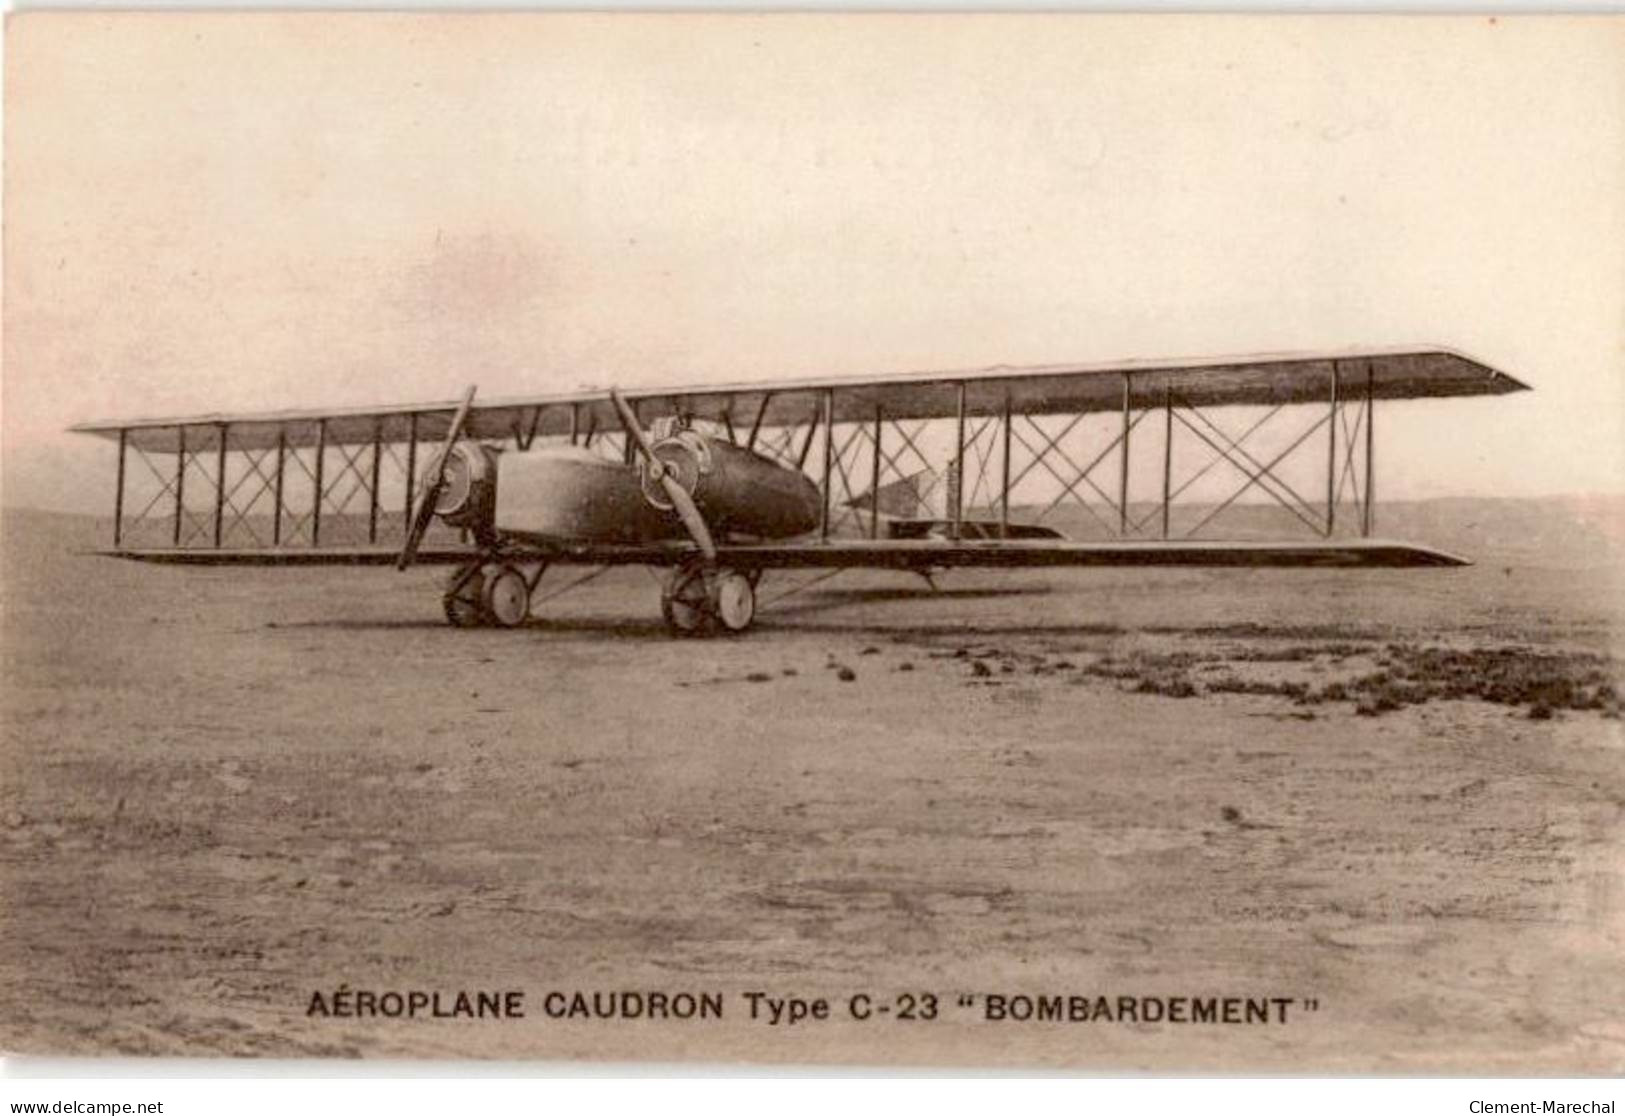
[1384,374]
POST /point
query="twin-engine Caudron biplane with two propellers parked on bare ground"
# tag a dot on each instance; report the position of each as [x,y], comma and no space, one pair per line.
[721,485]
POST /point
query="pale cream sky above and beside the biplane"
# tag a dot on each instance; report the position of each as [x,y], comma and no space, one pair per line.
[240,212]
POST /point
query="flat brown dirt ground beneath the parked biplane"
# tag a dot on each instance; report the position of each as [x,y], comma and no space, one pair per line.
[223,792]
